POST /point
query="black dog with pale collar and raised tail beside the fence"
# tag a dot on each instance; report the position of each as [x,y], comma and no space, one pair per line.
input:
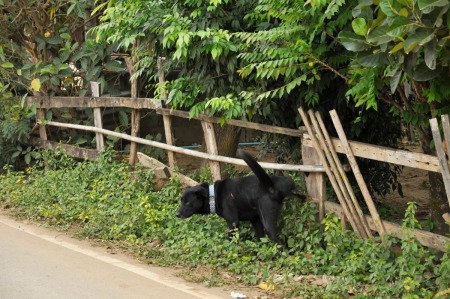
[257,199]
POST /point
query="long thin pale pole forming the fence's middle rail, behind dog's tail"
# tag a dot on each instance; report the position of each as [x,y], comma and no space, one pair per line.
[185,151]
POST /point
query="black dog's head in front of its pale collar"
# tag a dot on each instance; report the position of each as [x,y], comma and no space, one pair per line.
[193,201]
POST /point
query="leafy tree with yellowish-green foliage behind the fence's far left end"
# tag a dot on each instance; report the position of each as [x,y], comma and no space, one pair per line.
[44,51]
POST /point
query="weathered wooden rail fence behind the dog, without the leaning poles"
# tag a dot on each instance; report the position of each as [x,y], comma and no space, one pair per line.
[315,181]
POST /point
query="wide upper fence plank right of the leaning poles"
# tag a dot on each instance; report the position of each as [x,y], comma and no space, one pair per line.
[385,154]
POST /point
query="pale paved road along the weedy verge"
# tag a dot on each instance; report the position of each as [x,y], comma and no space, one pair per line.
[37,263]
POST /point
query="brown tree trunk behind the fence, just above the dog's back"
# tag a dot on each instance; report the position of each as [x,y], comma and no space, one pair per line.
[227,142]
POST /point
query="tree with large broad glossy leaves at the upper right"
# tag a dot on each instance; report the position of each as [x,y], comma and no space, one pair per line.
[402,59]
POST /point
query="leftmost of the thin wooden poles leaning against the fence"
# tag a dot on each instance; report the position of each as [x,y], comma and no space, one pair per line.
[329,173]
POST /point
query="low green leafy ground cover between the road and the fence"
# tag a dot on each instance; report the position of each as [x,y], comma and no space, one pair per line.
[103,200]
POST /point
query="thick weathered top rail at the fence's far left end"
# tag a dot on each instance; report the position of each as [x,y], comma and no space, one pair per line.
[91,102]
